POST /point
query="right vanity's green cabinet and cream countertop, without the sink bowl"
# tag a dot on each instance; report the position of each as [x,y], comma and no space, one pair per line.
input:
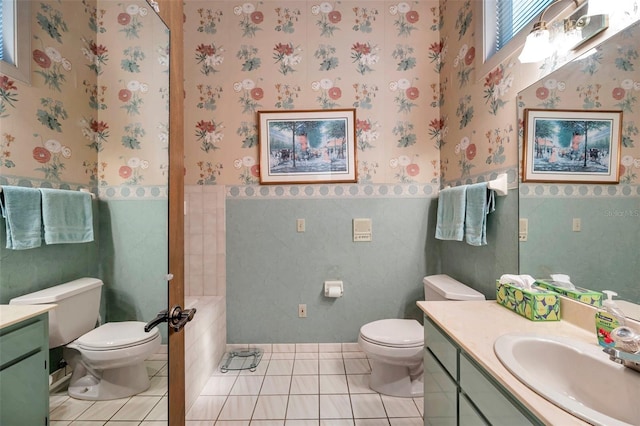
[466,384]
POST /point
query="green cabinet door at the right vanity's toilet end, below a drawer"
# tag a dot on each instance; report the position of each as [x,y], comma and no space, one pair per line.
[440,393]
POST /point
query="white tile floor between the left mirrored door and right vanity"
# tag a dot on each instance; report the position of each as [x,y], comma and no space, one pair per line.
[302,385]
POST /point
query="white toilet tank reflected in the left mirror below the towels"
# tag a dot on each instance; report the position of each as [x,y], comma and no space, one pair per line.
[77,310]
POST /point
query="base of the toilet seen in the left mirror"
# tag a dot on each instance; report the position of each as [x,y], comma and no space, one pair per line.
[108,384]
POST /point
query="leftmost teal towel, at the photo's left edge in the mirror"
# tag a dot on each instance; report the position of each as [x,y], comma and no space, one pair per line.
[22,212]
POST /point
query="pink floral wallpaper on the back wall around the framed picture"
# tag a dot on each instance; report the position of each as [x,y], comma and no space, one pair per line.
[380,57]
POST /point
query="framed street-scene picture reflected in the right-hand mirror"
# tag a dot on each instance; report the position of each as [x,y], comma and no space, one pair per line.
[572,146]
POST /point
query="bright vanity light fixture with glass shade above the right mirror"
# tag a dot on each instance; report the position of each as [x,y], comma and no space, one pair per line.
[576,30]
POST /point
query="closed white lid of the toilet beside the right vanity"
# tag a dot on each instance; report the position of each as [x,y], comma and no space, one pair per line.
[394,332]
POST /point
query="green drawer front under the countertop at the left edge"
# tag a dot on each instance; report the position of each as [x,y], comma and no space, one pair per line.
[16,343]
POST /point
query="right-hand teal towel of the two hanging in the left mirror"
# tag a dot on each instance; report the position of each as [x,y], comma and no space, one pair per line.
[67,216]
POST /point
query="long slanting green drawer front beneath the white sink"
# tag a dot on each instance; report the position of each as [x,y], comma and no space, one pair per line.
[490,399]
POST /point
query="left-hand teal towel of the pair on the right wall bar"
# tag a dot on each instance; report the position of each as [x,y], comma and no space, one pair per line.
[451,212]
